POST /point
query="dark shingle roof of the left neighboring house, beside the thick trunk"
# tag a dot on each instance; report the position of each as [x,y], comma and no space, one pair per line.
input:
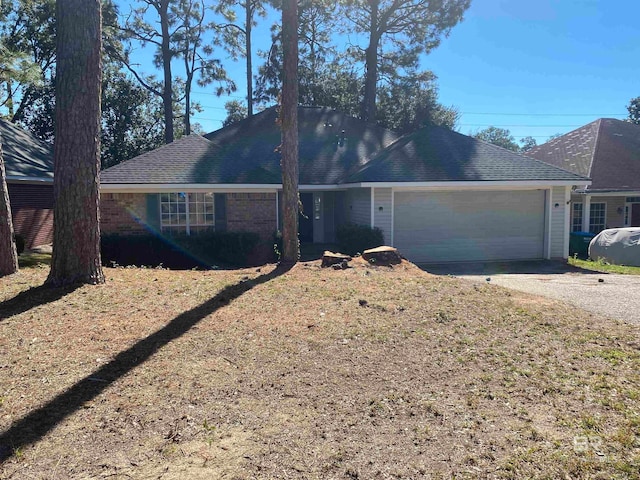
[24,154]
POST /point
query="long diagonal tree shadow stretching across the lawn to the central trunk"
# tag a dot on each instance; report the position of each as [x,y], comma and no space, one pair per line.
[38,423]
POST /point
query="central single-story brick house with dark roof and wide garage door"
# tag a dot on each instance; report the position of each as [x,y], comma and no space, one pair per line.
[437,195]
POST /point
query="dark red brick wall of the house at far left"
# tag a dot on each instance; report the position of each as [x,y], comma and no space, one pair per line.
[32,212]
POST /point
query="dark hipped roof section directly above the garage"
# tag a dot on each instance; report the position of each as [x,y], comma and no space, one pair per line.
[435,154]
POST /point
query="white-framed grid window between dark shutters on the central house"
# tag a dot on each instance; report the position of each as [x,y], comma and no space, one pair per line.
[187,213]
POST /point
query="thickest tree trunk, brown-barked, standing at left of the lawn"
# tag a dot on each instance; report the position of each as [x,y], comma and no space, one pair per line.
[76,229]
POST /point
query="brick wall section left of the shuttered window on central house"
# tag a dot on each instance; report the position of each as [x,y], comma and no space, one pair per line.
[123,213]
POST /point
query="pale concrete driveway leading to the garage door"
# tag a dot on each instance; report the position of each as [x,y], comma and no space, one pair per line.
[613,295]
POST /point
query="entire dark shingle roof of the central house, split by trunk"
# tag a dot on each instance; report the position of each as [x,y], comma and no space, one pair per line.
[334,148]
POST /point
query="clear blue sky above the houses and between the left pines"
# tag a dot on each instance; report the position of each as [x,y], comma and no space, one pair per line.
[535,67]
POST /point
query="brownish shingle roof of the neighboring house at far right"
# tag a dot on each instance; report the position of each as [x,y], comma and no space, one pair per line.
[607,150]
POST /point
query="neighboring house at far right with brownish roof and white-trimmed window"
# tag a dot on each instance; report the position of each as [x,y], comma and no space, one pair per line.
[607,151]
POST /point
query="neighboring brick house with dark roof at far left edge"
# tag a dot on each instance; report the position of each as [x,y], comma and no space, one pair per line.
[29,168]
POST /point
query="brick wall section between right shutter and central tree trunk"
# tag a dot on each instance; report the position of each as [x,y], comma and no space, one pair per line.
[252,212]
